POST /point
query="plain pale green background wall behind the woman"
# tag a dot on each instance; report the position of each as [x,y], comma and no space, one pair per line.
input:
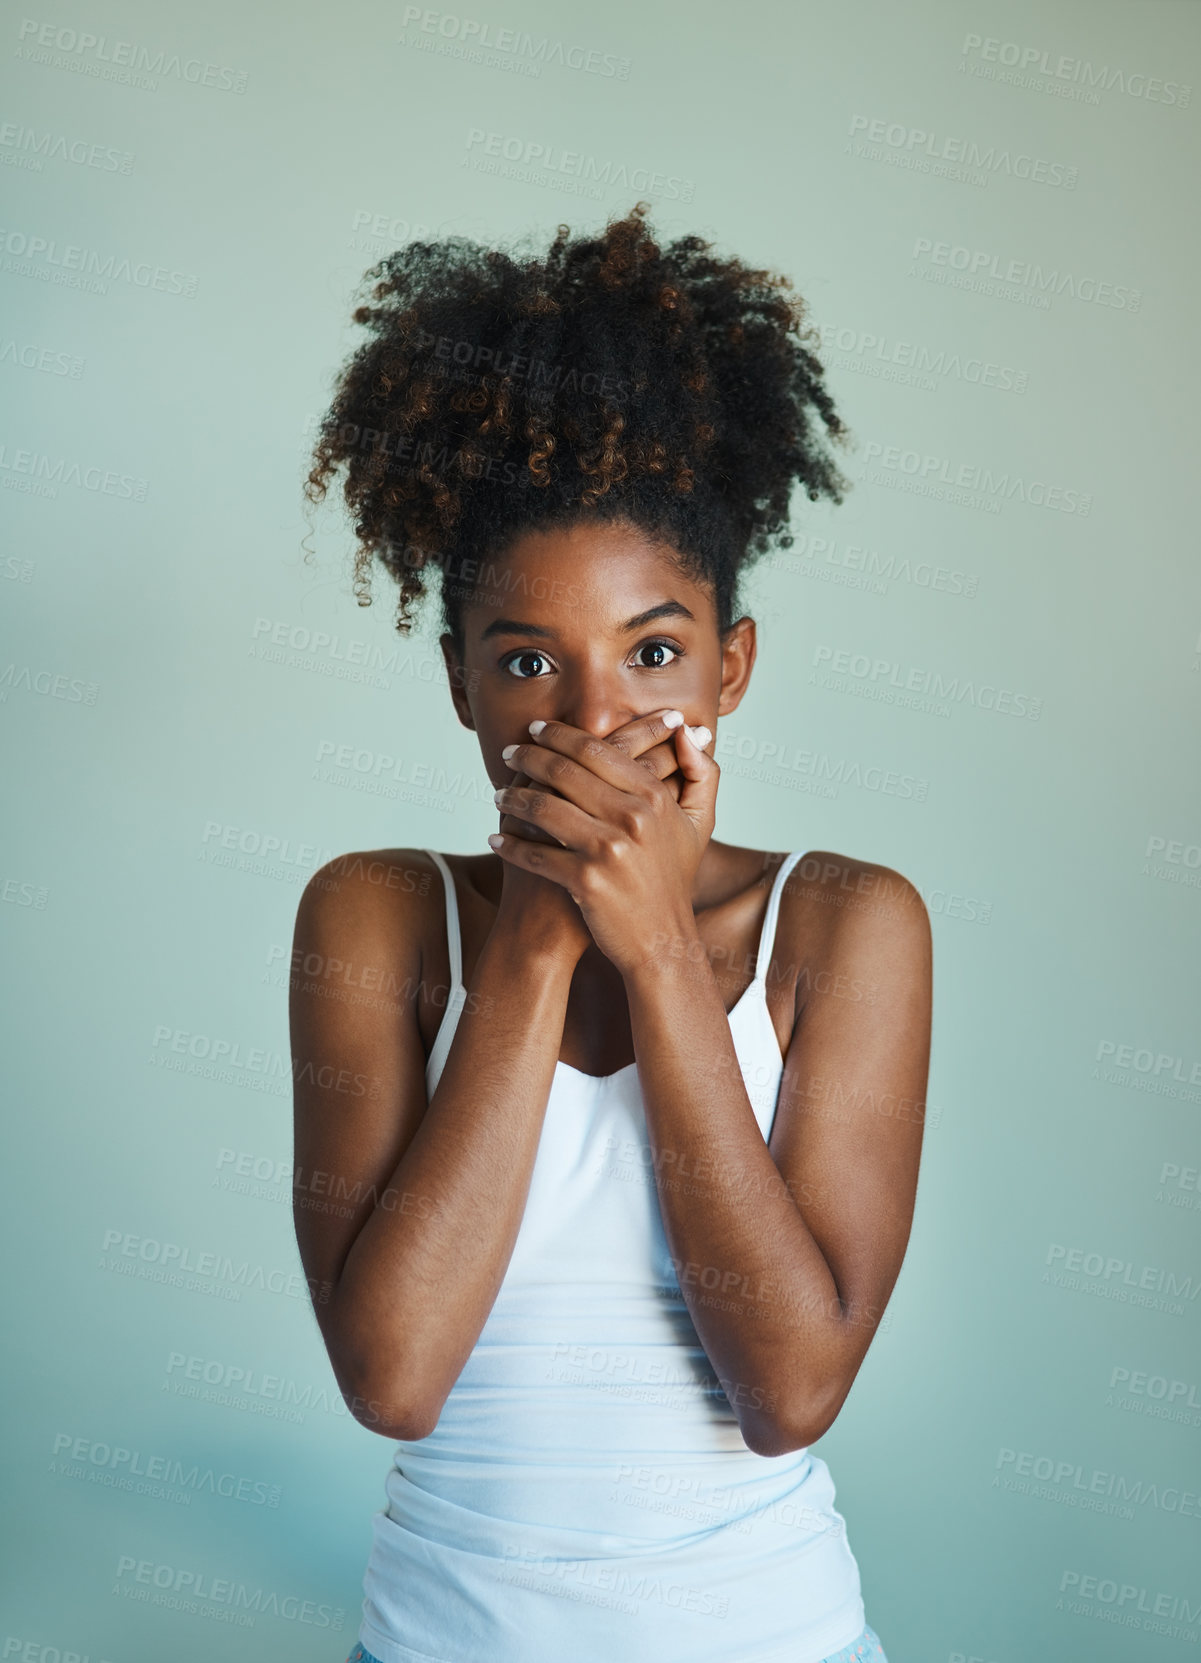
[1065,939]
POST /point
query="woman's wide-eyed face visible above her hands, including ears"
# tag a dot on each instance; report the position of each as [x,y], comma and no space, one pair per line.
[561,631]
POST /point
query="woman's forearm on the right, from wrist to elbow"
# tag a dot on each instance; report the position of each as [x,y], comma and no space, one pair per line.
[758,1286]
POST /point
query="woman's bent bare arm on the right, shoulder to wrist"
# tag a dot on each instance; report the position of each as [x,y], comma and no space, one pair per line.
[788,1253]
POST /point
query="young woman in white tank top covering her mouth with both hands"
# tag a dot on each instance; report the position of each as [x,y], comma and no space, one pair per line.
[631,1168]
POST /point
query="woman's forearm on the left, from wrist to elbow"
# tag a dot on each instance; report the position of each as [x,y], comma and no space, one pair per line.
[427,1268]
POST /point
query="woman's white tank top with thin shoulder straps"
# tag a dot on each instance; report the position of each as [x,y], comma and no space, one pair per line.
[586,1496]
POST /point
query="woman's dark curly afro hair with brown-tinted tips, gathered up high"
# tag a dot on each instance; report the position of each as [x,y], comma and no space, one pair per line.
[610,380]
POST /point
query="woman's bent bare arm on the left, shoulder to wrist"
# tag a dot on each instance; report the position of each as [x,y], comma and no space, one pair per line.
[433,1192]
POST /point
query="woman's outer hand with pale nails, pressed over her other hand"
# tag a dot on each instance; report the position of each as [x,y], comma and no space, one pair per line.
[630,849]
